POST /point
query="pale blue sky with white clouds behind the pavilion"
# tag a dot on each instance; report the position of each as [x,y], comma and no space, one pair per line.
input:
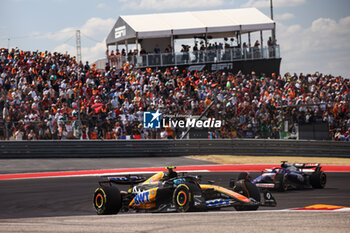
[314,35]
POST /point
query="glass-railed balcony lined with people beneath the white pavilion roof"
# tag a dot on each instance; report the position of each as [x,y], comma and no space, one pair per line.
[213,53]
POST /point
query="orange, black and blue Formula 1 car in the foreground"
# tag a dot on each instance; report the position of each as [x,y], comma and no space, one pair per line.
[169,191]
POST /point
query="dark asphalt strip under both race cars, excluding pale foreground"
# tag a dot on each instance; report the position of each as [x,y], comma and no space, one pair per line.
[73,196]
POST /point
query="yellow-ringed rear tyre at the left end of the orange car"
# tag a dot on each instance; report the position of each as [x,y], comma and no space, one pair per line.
[107,200]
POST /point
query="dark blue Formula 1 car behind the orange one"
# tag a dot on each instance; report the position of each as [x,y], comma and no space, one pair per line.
[292,176]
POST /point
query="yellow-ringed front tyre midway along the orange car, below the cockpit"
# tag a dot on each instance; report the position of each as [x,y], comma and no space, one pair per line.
[183,198]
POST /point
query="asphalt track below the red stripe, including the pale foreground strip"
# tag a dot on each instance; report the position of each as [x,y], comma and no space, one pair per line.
[65,205]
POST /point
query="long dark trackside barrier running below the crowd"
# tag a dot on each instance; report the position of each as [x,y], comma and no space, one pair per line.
[165,148]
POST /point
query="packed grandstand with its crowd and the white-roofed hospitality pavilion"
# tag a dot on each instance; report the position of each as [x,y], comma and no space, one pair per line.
[53,96]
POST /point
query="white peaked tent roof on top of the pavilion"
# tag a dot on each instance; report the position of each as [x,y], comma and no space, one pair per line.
[189,24]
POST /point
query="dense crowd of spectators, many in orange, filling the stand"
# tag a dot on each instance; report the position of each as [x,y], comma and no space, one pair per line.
[47,95]
